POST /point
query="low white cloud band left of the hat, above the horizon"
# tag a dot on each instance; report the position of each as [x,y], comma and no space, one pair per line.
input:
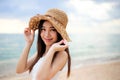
[12,26]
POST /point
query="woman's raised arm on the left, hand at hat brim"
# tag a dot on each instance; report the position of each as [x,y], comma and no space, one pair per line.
[23,63]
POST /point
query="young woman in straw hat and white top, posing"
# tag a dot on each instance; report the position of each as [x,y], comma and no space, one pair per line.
[52,49]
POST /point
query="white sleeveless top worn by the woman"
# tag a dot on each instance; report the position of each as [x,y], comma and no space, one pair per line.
[36,67]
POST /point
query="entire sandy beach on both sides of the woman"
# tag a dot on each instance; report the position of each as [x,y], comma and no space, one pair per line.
[109,70]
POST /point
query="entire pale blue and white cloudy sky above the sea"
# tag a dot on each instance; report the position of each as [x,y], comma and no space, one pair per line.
[85,16]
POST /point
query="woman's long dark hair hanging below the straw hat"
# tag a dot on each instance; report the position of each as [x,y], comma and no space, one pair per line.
[41,49]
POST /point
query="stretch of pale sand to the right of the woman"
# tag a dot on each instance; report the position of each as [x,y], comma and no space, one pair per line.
[101,71]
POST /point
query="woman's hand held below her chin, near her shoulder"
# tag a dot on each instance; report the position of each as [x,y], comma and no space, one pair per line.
[60,46]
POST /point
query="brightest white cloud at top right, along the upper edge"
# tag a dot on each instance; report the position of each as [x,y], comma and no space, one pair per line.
[91,9]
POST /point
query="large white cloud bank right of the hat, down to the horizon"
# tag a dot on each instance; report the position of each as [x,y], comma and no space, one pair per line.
[89,17]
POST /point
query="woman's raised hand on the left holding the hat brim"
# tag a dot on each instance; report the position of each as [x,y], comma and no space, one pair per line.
[29,35]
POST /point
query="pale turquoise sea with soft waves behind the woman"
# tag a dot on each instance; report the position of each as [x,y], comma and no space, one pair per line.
[83,48]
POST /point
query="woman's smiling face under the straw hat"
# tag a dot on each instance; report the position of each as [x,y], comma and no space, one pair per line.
[48,33]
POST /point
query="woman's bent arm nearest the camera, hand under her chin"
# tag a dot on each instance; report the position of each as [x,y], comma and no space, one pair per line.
[47,71]
